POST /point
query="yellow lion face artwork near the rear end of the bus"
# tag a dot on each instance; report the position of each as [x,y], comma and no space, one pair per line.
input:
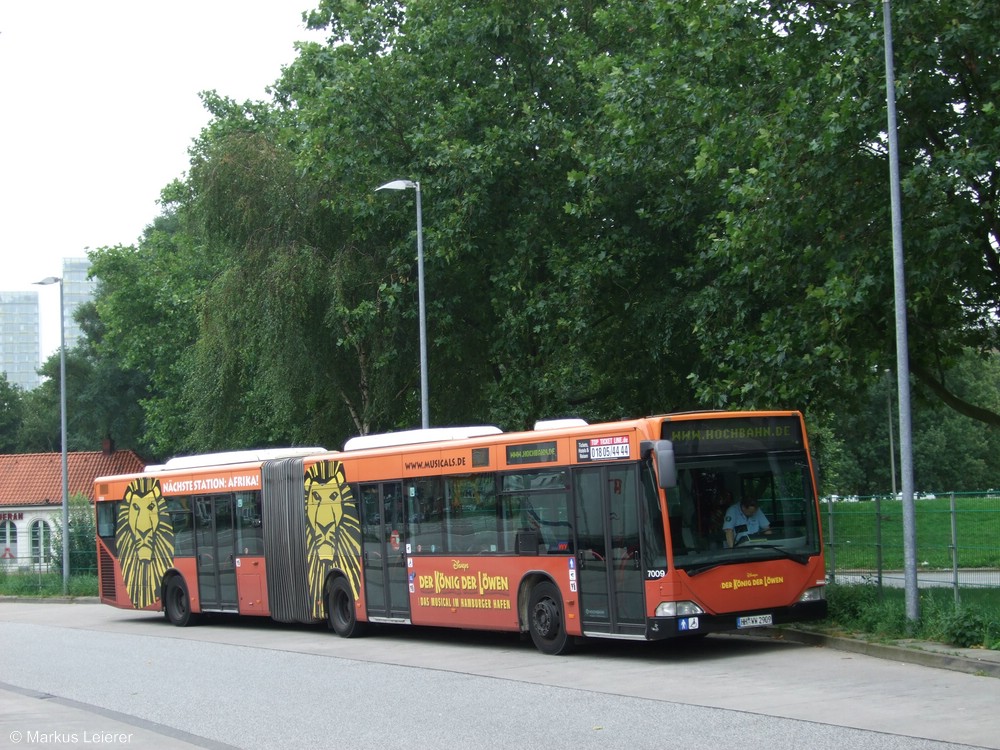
[145,539]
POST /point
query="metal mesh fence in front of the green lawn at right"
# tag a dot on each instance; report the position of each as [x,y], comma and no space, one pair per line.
[957,539]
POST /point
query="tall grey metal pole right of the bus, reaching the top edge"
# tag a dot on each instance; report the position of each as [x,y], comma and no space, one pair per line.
[902,351]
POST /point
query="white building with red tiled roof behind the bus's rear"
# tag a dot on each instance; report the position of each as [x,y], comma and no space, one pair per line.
[31,497]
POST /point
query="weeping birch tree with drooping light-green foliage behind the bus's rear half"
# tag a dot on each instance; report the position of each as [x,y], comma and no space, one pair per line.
[298,330]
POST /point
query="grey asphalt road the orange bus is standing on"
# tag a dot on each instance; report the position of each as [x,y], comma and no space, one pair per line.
[86,675]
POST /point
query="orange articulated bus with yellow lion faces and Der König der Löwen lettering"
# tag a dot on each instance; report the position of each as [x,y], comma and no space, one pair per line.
[565,532]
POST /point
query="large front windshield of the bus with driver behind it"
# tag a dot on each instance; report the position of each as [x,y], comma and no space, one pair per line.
[730,508]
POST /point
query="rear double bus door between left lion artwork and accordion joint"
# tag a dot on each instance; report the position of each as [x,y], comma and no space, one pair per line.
[216,551]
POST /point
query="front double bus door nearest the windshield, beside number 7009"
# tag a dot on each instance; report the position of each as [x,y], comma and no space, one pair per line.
[607,543]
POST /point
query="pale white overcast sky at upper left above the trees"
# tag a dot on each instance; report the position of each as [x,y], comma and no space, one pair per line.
[98,106]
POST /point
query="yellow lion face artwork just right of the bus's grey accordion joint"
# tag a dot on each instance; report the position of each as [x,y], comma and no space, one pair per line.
[333,531]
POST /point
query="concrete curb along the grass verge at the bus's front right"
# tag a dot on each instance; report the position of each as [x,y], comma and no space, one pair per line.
[924,653]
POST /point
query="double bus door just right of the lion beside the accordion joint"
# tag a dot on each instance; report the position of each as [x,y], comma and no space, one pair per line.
[384,535]
